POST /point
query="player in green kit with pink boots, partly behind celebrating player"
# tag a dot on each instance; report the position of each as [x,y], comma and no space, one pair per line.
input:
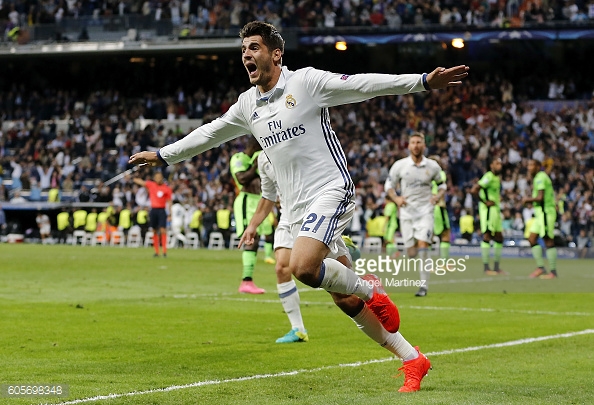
[244,169]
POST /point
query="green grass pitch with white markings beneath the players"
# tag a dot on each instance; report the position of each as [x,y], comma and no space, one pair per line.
[118,321]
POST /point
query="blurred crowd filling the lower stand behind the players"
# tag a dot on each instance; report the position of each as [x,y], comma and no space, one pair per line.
[465,126]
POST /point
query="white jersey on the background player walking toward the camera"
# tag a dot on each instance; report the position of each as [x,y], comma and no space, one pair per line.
[415,185]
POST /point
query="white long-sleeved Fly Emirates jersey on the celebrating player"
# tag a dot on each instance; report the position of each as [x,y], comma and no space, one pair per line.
[293,127]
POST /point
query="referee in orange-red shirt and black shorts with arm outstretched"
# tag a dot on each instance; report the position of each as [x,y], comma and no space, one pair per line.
[160,196]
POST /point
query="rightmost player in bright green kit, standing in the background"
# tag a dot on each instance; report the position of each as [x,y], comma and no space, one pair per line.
[545,215]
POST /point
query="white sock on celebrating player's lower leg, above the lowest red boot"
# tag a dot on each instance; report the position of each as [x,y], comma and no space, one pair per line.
[368,323]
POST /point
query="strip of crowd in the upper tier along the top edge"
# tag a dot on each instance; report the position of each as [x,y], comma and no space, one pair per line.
[202,17]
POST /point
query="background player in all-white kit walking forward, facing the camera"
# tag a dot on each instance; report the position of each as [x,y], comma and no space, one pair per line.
[416,203]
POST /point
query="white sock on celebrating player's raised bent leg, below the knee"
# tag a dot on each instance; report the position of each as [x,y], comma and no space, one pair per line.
[336,277]
